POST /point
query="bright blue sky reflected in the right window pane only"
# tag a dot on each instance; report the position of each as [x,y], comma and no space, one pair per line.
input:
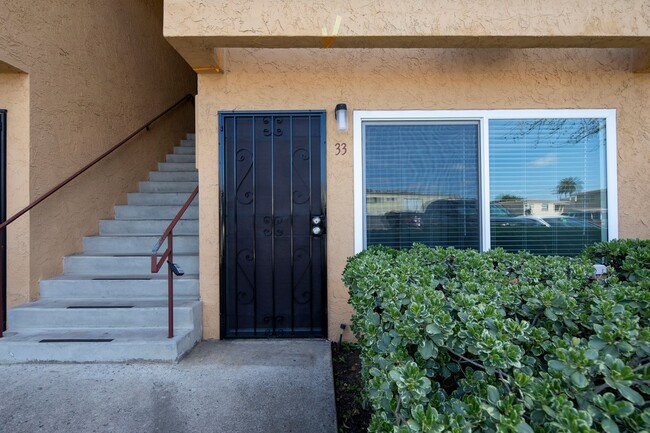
[530,157]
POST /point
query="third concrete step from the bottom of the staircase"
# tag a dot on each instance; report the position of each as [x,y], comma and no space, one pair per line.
[144,286]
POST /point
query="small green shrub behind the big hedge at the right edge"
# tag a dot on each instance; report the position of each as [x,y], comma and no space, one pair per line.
[629,258]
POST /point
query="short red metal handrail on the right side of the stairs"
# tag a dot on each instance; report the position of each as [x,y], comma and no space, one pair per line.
[168,256]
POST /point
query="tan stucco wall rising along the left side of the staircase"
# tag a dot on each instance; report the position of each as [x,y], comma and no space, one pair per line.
[97,70]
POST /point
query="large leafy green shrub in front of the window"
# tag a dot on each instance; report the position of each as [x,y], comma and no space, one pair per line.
[460,341]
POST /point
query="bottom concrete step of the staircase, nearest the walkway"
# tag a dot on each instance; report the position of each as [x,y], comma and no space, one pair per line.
[139,344]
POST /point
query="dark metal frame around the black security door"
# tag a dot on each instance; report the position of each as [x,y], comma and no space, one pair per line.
[222,204]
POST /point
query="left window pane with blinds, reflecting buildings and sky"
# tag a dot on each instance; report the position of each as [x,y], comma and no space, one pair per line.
[422,184]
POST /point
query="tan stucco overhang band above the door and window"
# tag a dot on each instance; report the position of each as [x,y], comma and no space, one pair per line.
[192,24]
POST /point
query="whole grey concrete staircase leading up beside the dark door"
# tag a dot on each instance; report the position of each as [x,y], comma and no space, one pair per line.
[107,306]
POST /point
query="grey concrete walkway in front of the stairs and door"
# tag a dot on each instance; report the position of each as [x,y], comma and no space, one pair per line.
[224,386]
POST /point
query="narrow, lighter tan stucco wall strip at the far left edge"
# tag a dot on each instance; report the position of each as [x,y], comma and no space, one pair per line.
[14,97]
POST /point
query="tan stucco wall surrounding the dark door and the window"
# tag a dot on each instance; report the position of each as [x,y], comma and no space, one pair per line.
[413,79]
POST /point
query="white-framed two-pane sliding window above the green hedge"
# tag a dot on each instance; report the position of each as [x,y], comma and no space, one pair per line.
[484,179]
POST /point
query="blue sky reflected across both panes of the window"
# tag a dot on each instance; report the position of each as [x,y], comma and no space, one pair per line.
[528,158]
